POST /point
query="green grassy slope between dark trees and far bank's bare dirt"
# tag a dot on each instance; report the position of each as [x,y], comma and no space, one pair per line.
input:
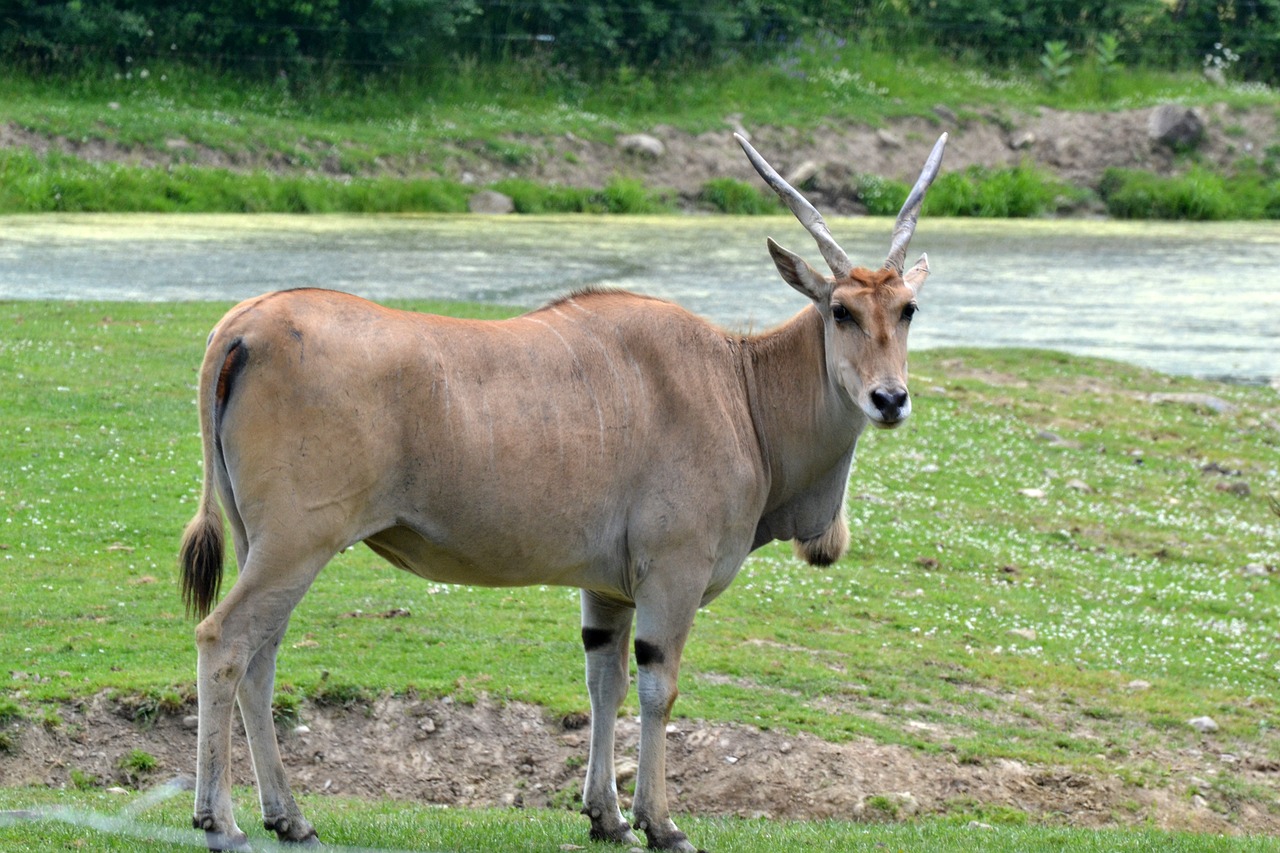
[345,127]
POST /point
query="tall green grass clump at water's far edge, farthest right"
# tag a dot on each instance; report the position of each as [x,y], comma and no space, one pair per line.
[1199,195]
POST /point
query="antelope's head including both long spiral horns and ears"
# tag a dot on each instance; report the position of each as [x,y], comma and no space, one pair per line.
[866,313]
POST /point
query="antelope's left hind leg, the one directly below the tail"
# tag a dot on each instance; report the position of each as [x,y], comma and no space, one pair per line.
[252,617]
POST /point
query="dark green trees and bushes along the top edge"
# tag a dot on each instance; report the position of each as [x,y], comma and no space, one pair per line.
[424,38]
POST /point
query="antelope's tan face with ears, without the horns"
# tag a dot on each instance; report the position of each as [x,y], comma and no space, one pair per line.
[867,316]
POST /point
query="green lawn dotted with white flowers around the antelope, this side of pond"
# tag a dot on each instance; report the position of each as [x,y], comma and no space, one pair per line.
[1046,533]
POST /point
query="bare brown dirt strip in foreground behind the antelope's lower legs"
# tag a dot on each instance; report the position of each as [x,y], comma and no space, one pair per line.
[514,755]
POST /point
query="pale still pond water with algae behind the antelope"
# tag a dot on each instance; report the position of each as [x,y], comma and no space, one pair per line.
[1188,299]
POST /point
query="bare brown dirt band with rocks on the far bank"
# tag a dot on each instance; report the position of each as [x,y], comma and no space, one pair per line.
[1077,147]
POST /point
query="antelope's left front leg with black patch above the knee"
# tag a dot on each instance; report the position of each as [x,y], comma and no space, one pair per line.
[606,631]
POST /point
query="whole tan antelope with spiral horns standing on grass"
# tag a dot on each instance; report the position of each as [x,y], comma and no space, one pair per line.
[607,441]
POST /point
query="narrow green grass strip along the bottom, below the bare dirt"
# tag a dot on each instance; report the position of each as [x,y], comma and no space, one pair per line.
[127,824]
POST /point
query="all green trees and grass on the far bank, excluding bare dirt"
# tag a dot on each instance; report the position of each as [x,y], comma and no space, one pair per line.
[349,107]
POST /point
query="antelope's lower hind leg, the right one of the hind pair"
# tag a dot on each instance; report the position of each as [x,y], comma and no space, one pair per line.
[281,811]
